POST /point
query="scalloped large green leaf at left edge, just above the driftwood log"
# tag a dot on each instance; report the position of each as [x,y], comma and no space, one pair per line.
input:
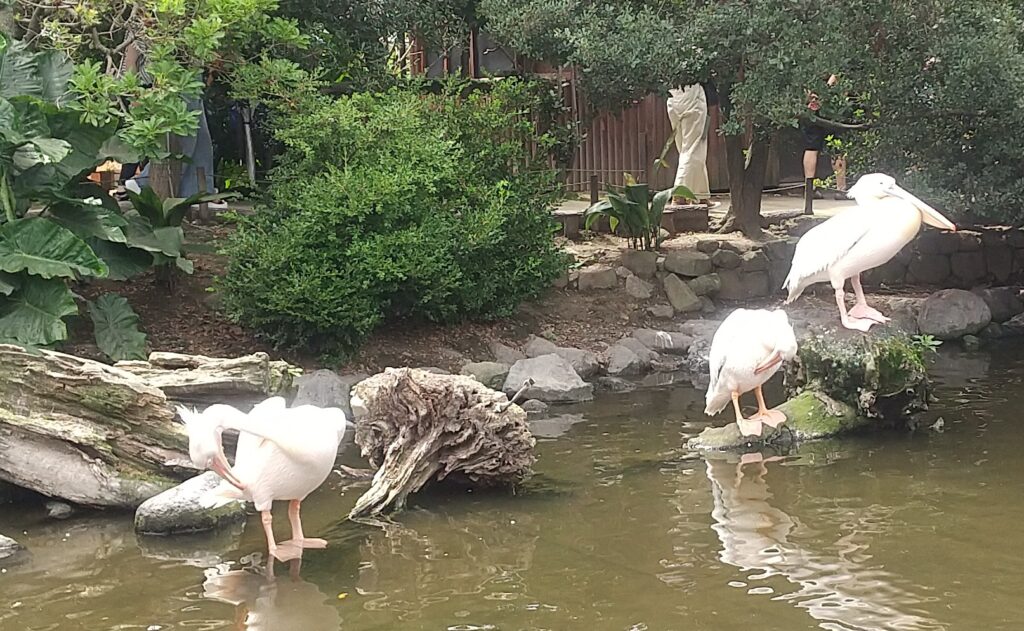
[34,314]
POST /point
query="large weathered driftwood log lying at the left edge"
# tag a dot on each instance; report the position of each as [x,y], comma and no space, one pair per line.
[84,432]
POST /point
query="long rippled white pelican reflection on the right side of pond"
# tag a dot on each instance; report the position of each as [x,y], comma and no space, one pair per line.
[839,591]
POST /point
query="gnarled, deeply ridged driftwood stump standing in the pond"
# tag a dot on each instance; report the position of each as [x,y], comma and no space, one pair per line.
[416,427]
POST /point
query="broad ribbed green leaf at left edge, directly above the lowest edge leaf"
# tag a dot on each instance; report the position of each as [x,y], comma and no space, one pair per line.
[46,248]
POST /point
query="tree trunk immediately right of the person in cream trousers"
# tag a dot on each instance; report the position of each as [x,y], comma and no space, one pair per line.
[747,179]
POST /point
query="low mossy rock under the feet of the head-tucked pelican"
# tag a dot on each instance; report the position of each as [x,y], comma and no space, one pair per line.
[809,416]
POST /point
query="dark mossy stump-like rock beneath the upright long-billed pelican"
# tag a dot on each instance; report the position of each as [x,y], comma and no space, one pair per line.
[883,376]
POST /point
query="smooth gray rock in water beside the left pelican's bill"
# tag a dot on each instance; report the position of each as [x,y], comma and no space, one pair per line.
[180,511]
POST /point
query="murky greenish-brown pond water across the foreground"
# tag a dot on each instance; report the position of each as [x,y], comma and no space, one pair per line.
[618,531]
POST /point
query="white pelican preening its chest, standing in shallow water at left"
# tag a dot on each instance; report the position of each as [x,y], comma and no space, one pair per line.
[282,454]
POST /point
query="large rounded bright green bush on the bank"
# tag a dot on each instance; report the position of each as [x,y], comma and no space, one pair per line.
[392,206]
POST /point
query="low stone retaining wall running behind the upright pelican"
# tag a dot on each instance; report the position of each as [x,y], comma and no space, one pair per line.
[711,269]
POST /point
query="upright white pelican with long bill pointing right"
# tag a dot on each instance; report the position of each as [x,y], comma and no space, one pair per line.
[886,219]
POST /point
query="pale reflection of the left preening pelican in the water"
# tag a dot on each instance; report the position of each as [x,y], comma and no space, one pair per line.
[267,603]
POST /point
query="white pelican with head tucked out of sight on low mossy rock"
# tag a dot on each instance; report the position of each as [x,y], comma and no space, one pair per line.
[748,349]
